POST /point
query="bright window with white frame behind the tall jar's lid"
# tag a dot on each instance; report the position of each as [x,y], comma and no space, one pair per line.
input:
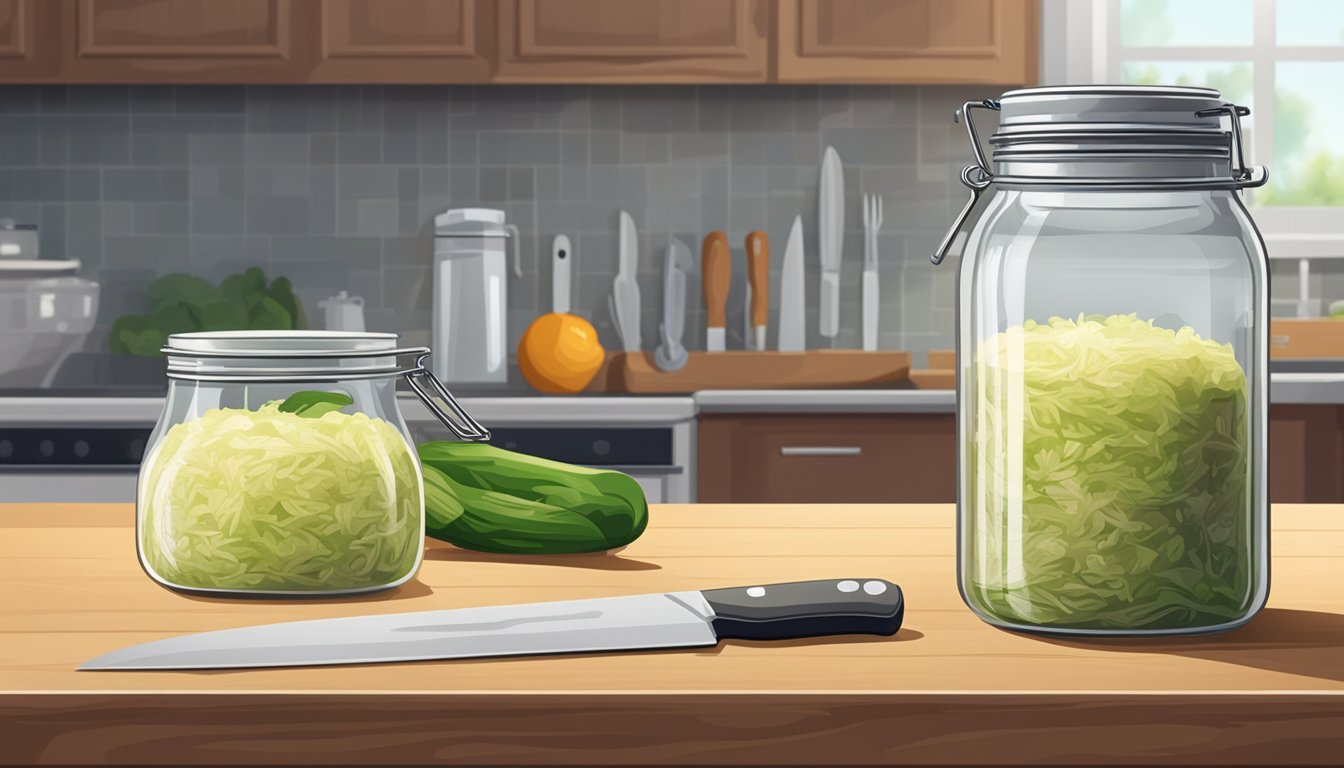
[1282,59]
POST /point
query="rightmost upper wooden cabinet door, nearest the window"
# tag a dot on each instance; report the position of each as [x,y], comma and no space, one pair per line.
[991,42]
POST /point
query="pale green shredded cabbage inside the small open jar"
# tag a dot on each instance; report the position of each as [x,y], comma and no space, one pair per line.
[271,501]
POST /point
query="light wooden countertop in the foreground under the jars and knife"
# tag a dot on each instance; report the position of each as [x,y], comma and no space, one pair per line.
[947,689]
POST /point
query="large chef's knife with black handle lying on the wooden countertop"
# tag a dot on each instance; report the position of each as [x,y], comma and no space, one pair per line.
[669,621]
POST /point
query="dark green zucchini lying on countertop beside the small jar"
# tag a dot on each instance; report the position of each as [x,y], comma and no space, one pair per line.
[485,498]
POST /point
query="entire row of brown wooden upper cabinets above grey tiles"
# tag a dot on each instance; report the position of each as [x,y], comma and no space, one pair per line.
[989,42]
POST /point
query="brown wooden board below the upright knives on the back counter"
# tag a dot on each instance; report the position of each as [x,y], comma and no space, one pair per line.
[815,369]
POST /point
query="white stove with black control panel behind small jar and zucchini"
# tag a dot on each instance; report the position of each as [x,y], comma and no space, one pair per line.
[79,449]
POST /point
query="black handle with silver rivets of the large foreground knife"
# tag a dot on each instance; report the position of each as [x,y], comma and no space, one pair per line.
[807,610]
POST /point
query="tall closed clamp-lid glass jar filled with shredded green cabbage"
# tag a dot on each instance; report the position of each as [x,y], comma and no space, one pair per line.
[1112,368]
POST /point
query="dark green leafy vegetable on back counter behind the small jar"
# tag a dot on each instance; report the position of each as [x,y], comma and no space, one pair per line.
[183,303]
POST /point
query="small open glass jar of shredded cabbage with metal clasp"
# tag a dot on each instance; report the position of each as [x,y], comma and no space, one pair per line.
[282,465]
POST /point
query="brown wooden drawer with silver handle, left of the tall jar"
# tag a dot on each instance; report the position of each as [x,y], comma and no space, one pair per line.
[843,458]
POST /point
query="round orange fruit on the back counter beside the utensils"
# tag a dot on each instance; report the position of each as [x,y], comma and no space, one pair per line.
[560,353]
